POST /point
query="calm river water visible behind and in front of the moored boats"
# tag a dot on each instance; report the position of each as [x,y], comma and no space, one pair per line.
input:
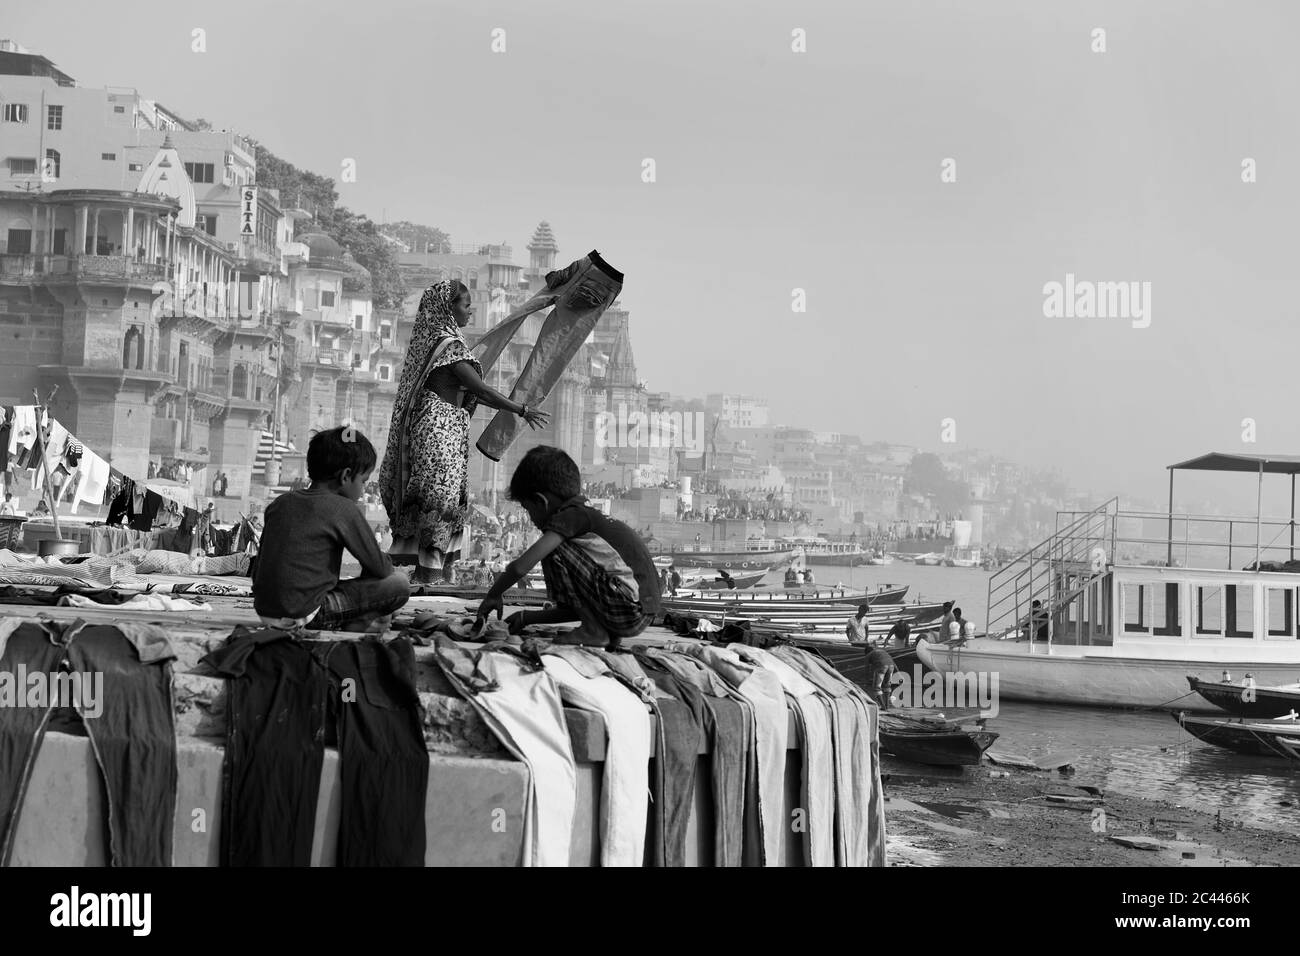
[1145,755]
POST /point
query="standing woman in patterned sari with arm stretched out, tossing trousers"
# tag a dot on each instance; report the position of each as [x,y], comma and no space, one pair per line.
[424,482]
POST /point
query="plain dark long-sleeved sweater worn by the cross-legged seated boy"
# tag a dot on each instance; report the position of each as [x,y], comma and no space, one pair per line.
[302,552]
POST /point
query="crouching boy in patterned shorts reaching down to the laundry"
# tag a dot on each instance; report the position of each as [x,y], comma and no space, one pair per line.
[597,570]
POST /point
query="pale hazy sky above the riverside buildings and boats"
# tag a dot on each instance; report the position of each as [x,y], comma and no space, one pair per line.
[821,171]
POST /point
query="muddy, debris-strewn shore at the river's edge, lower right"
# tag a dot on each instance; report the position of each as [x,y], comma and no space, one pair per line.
[989,816]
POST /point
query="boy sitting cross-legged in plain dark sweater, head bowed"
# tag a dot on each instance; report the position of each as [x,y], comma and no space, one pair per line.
[296,582]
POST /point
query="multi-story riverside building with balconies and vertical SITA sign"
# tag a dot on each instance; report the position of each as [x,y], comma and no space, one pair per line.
[140,272]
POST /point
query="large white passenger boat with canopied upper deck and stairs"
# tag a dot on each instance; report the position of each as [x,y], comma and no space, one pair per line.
[1132,635]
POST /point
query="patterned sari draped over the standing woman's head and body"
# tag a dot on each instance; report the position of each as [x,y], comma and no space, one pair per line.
[424,478]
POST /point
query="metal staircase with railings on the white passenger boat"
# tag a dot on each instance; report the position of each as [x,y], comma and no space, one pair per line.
[1055,572]
